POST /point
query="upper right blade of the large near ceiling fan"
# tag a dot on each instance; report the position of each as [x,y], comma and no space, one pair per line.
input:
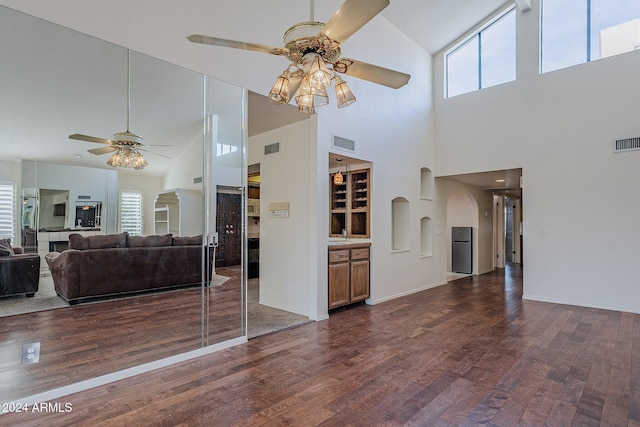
[352,16]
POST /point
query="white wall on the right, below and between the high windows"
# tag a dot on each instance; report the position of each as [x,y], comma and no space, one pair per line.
[580,200]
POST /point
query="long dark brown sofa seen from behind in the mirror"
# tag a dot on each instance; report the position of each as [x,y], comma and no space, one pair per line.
[113,264]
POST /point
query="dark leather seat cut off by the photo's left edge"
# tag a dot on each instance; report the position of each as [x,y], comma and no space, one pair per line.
[19,272]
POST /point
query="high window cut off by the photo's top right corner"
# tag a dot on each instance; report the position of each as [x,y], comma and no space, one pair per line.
[578,31]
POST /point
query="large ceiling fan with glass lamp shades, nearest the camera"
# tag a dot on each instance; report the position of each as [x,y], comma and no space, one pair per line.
[313,47]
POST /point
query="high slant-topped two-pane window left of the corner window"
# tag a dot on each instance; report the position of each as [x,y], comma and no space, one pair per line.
[485,59]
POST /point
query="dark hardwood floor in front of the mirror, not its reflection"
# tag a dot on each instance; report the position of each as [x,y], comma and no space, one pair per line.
[467,353]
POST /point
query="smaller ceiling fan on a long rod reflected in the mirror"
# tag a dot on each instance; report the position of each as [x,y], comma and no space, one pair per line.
[125,145]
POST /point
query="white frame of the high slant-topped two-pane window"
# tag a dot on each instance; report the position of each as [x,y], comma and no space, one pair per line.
[477,33]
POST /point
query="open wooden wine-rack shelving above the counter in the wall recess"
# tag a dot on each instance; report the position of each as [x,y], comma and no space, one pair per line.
[349,204]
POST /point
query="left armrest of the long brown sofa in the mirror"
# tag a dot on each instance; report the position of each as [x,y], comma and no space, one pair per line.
[65,272]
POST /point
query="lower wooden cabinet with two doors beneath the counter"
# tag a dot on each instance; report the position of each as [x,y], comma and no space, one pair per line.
[348,274]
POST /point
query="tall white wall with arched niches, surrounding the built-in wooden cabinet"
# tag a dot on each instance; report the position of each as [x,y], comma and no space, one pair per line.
[393,130]
